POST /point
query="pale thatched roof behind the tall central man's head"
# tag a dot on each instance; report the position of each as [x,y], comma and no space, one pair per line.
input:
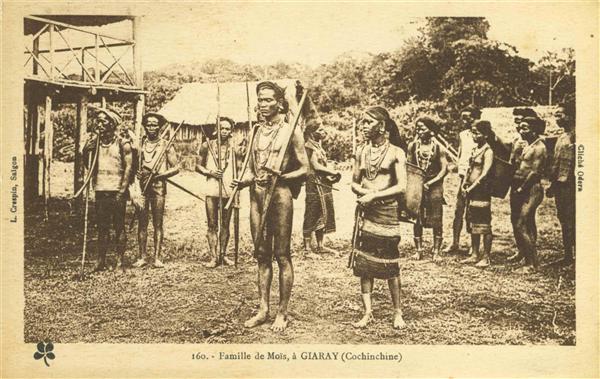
[196,103]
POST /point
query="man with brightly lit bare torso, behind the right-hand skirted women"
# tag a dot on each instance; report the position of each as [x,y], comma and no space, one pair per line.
[468,116]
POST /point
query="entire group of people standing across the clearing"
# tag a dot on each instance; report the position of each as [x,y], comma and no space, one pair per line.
[279,157]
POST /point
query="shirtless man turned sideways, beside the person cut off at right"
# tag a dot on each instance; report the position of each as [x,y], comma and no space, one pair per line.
[526,190]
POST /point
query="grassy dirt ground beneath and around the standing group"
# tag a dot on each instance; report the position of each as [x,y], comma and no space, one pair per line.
[443,303]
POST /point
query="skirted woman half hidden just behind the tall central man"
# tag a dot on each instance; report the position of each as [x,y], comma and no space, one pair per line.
[319,214]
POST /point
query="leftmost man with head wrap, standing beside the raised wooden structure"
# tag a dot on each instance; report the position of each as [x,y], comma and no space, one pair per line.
[111,180]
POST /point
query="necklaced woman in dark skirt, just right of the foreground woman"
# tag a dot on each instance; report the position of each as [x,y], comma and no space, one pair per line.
[427,155]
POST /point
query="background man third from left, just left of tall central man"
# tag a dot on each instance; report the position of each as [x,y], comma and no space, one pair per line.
[207,165]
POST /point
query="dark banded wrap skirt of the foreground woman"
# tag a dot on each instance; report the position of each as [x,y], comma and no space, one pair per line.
[377,254]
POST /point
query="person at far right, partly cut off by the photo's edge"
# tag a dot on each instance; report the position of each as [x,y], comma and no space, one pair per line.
[562,178]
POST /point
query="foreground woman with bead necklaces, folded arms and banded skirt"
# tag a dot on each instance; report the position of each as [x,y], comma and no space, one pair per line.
[379,179]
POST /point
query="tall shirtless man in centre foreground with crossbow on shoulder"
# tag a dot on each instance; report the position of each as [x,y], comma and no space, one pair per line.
[268,144]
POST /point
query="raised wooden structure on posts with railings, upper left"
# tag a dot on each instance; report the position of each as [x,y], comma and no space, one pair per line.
[67,60]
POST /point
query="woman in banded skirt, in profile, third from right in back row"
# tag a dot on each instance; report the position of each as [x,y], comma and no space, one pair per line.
[478,193]
